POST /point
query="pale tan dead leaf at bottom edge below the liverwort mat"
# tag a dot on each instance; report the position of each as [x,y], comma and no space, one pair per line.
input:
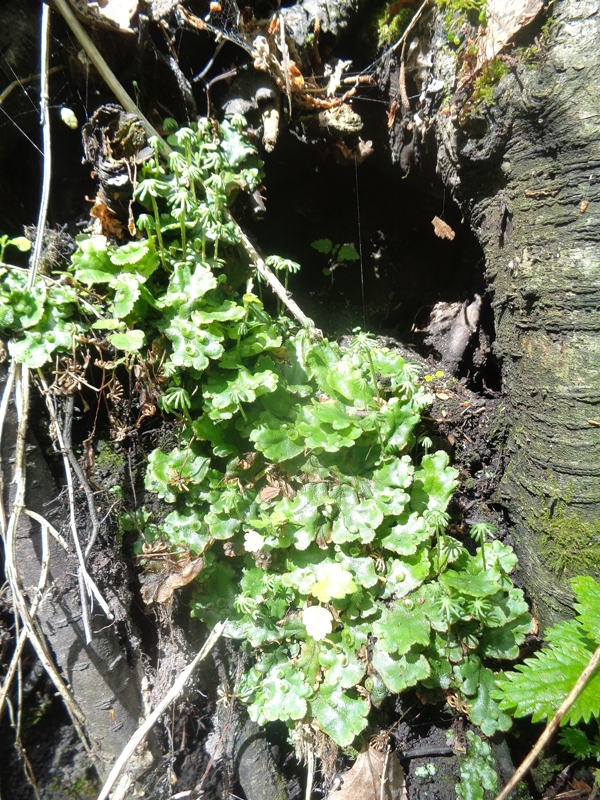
[363,780]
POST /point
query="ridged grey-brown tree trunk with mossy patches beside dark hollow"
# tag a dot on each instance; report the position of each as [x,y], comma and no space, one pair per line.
[526,187]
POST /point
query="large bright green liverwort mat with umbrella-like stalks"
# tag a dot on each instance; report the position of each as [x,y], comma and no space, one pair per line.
[292,475]
